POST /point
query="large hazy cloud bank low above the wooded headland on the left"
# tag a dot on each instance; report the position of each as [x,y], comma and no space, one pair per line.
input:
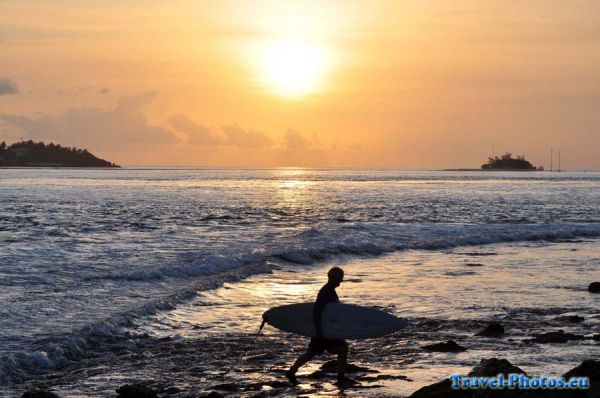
[118,128]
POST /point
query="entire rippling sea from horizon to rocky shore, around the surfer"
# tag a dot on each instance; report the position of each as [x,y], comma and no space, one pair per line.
[97,266]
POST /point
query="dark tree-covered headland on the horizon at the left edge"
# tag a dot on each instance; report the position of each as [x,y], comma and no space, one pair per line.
[39,154]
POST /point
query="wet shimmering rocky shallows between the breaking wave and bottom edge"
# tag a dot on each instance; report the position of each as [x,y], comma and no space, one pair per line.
[208,345]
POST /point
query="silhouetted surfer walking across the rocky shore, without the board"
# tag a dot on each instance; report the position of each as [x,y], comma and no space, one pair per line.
[319,343]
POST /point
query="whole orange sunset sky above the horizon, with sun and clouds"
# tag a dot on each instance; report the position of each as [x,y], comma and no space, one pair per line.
[398,84]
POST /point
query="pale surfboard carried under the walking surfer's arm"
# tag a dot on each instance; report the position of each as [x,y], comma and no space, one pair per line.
[339,321]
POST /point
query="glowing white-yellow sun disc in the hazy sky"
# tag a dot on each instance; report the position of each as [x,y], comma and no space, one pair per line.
[293,68]
